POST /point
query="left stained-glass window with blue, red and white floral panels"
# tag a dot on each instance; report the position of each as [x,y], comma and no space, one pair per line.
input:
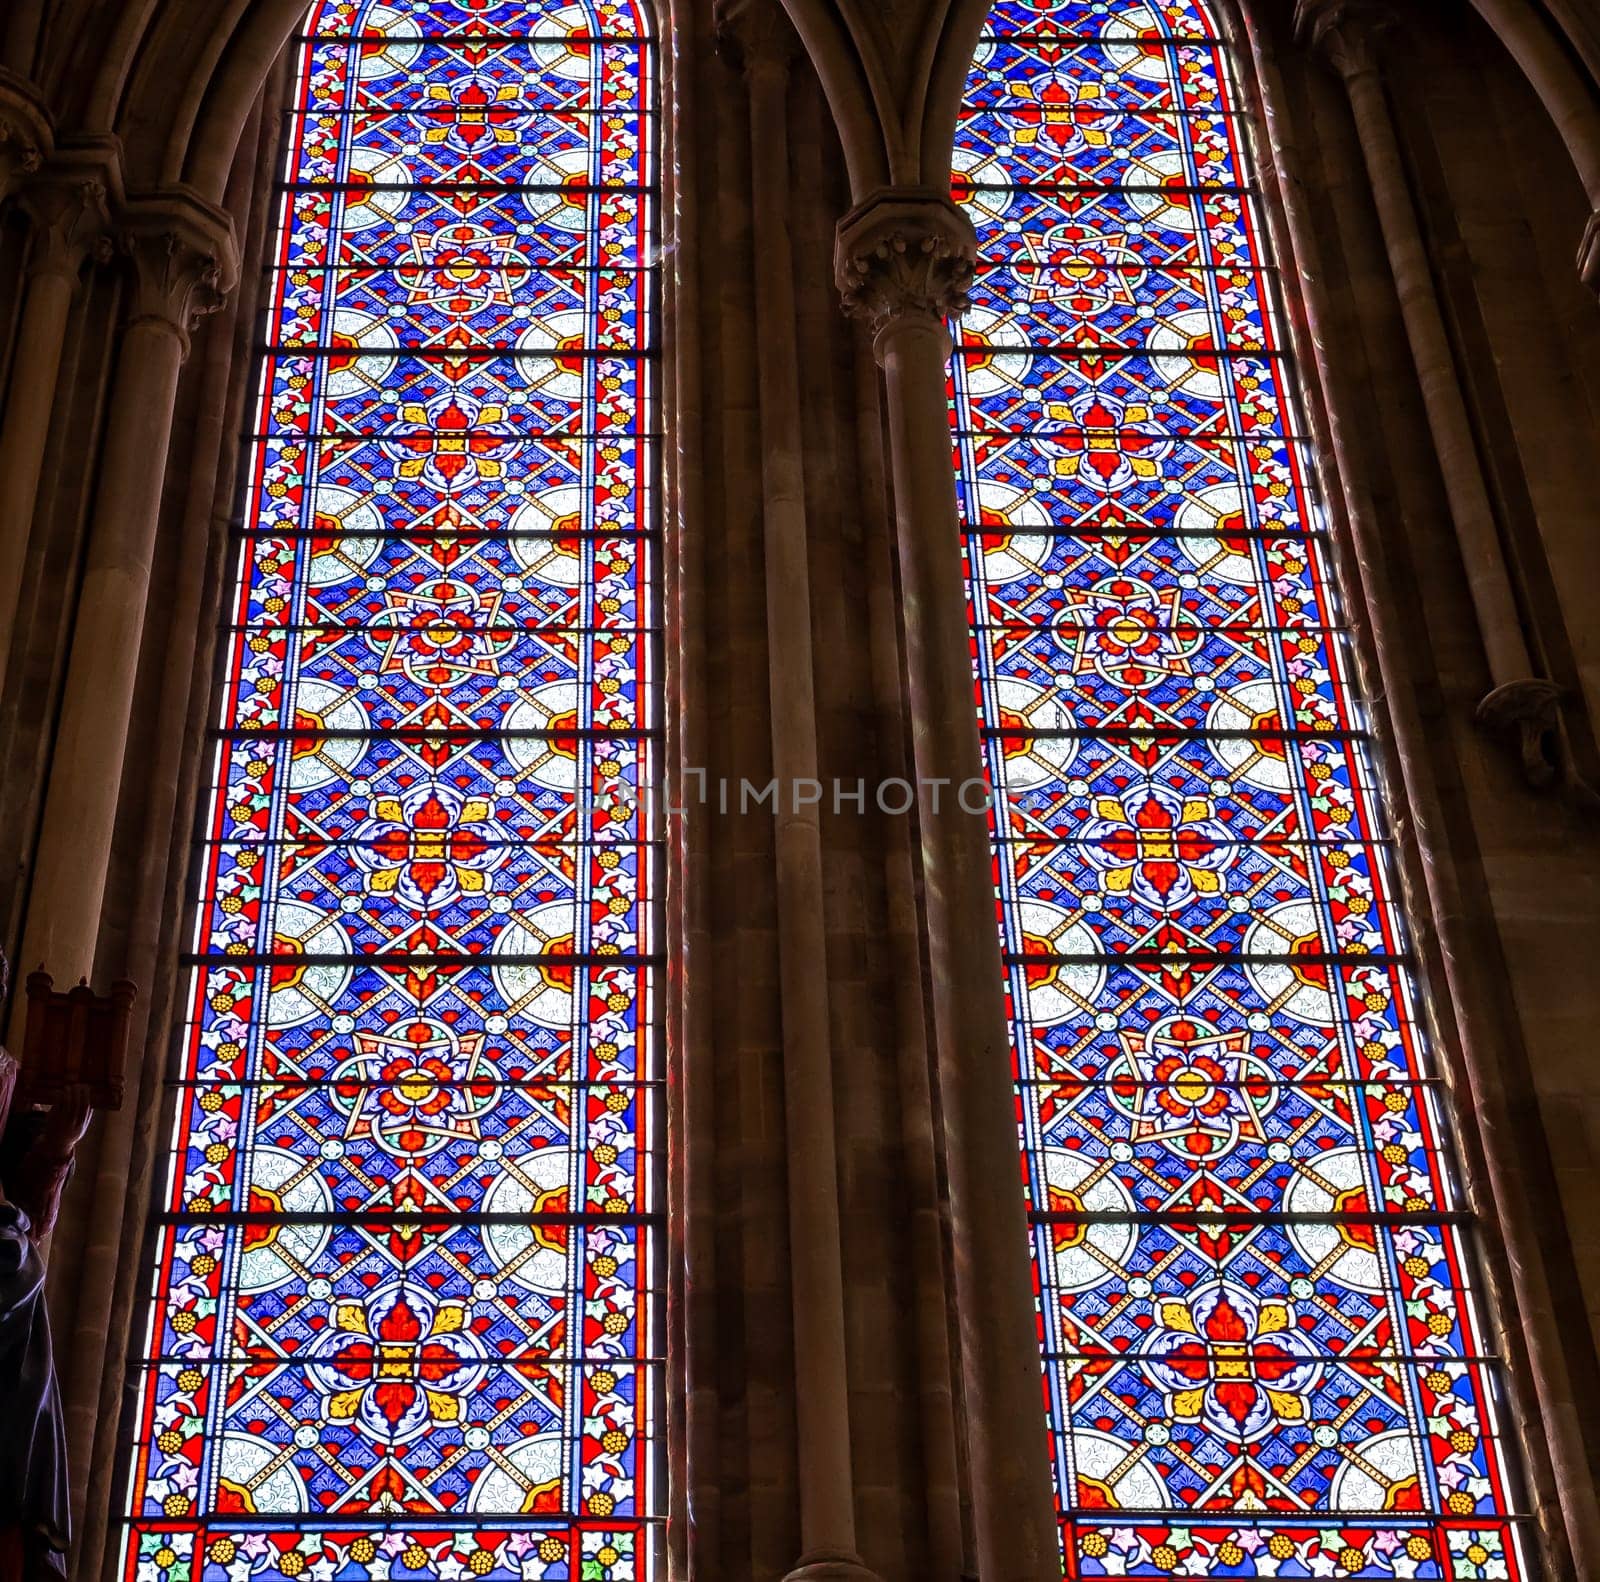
[402,1320]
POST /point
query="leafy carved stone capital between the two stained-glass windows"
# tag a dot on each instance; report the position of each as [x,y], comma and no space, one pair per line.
[908,254]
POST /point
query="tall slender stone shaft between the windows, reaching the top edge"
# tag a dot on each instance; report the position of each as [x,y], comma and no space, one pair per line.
[759,34]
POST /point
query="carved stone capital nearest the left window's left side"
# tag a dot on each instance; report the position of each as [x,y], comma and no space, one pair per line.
[185,262]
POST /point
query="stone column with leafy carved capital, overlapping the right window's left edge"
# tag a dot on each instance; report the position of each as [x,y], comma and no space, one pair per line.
[905,260]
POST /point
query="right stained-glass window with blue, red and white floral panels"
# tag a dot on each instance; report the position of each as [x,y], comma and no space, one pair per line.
[1265,1356]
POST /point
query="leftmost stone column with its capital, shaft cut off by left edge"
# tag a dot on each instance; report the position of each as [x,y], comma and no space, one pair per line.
[71,218]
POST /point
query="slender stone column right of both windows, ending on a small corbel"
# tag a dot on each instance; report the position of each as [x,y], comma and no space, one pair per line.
[1521,703]
